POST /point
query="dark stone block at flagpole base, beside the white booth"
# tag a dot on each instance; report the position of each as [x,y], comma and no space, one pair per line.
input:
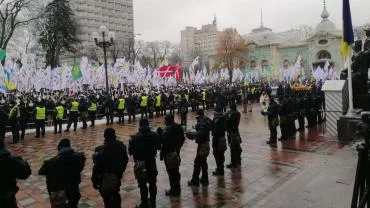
[348,128]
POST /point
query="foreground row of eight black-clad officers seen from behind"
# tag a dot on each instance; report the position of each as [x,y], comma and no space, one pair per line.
[63,172]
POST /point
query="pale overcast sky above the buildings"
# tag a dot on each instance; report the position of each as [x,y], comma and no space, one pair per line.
[164,19]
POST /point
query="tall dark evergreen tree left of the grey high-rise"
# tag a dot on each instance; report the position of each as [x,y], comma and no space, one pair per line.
[58,31]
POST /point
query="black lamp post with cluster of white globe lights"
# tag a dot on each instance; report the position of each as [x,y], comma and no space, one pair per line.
[106,42]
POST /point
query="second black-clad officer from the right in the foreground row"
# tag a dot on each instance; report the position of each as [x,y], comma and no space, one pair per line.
[219,141]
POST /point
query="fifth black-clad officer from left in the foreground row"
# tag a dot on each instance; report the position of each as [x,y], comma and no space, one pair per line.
[172,140]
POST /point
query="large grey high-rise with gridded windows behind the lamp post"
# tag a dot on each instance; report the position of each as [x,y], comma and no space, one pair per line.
[116,15]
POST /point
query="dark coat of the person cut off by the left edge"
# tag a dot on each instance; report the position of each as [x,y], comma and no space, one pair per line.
[12,168]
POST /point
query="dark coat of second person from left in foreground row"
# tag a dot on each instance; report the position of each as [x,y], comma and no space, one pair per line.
[63,172]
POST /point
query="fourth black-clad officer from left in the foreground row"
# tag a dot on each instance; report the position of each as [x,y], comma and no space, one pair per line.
[143,147]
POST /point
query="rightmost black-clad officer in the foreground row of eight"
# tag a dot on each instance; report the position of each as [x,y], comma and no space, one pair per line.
[232,127]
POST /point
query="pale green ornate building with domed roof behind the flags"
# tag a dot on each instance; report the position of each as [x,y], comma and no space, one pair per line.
[280,50]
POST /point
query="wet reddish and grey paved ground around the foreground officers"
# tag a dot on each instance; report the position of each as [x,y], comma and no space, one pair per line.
[311,171]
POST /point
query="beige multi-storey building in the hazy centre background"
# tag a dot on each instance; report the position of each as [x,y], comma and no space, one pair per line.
[202,43]
